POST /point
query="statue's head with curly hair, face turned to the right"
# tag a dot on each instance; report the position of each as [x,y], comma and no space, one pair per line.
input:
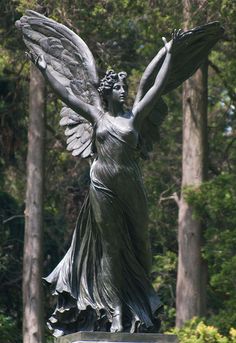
[113,87]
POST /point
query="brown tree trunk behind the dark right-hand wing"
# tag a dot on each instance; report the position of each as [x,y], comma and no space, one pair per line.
[191,276]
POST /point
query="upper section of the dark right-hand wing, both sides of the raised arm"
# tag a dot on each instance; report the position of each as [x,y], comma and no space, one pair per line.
[191,48]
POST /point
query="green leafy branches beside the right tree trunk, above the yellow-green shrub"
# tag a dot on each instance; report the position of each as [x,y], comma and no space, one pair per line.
[215,203]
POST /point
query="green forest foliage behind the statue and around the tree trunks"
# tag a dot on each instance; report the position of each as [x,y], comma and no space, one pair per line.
[124,35]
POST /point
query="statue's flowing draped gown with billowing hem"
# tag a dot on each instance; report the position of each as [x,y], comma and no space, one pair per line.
[108,262]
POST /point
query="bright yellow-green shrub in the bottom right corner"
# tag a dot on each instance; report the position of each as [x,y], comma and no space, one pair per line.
[196,331]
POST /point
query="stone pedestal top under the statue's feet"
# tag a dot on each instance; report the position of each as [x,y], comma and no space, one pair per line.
[106,337]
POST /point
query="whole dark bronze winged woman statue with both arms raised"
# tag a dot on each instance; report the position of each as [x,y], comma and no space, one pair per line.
[103,282]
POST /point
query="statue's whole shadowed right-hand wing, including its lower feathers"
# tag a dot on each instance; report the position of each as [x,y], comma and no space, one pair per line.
[190,50]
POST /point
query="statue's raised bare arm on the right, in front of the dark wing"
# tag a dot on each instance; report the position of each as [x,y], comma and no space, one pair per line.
[145,105]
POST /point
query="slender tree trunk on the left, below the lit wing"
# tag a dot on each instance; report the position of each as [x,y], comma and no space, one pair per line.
[32,267]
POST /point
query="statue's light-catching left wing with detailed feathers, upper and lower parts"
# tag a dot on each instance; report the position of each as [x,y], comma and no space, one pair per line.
[71,63]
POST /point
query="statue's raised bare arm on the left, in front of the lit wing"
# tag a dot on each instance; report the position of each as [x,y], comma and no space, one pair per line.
[87,111]
